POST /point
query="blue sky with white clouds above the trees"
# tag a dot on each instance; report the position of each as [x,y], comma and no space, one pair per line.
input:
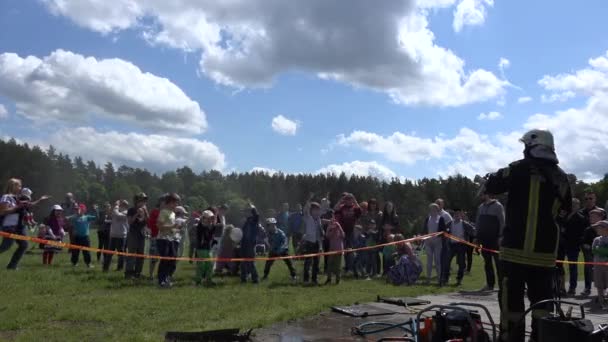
[394,89]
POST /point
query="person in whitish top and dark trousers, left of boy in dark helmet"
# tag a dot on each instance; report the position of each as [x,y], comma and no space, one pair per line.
[119,229]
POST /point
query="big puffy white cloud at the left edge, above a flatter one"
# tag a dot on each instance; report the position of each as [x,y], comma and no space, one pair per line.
[71,87]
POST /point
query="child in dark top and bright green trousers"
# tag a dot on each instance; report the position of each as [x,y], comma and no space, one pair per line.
[205,232]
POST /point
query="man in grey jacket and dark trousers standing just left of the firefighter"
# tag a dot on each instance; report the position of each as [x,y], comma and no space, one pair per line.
[490,223]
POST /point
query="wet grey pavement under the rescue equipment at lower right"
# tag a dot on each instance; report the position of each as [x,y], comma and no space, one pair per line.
[332,326]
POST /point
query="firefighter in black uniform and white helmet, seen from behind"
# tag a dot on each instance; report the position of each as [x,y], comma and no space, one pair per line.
[537,189]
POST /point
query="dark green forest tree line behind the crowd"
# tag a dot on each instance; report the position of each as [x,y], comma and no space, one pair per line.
[53,173]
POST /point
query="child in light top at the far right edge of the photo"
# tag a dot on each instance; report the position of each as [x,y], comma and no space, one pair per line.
[599,249]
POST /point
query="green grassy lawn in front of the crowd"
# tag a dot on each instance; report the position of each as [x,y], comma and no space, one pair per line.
[62,303]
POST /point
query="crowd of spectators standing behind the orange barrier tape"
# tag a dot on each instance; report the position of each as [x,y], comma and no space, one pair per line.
[309,229]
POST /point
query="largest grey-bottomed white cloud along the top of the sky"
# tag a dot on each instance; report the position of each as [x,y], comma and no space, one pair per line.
[248,43]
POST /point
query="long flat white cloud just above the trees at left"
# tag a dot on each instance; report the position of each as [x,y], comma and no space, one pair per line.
[157,153]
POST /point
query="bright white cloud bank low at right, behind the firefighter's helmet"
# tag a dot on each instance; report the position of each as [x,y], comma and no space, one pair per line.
[580,134]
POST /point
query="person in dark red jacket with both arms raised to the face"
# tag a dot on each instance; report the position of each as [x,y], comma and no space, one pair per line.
[347,212]
